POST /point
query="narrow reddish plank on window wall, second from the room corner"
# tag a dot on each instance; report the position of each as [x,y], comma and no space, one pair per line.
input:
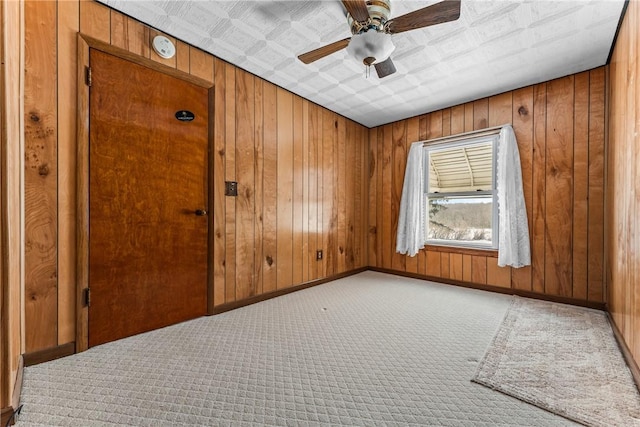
[386,246]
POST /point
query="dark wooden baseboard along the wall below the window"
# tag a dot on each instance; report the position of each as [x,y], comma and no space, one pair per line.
[508,291]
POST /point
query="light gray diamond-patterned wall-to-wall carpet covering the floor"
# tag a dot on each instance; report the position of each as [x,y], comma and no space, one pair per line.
[367,350]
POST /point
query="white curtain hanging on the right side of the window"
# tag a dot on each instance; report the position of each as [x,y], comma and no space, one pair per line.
[513,231]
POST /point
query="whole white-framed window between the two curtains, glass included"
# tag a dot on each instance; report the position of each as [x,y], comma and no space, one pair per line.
[461,196]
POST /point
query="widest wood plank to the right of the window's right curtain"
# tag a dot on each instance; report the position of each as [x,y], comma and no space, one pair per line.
[559,188]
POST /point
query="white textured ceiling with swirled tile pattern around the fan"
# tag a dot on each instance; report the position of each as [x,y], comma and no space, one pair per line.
[494,47]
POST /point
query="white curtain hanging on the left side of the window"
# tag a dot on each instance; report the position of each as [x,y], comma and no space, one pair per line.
[410,236]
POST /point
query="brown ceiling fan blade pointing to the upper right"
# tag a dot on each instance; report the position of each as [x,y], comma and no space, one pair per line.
[445,11]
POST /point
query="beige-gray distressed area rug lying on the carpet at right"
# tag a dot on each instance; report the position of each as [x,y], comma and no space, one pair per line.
[564,359]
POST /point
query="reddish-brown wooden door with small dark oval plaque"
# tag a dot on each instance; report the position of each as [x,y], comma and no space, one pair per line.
[147,177]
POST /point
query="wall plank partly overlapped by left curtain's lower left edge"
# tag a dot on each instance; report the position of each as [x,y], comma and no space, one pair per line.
[398,163]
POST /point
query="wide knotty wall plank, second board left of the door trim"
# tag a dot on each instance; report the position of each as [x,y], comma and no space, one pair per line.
[41,210]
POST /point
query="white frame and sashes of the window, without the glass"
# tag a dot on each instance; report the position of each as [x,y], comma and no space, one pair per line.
[466,141]
